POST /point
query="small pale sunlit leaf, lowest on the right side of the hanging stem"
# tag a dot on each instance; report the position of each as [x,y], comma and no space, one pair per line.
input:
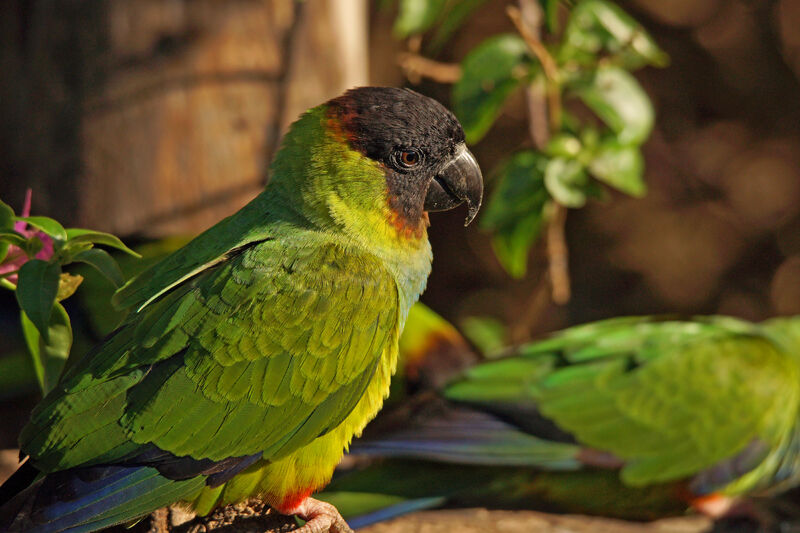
[620,166]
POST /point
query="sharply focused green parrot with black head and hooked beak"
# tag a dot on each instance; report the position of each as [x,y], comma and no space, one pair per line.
[254,354]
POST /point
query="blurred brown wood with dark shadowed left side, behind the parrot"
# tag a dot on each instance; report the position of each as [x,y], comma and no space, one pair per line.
[161,116]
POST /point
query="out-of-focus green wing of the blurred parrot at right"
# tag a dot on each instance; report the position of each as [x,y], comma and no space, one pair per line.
[671,398]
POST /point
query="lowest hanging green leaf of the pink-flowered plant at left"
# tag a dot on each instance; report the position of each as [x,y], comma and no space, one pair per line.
[48,355]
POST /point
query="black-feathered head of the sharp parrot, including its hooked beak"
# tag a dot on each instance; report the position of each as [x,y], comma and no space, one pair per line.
[419,144]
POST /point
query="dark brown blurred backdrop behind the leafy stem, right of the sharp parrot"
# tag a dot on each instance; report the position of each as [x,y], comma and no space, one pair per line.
[717,231]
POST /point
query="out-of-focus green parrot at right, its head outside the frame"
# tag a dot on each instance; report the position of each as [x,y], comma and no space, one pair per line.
[636,418]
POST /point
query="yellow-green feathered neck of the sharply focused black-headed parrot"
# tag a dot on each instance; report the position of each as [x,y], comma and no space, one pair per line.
[321,181]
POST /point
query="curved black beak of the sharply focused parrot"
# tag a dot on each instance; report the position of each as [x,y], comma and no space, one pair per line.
[458,182]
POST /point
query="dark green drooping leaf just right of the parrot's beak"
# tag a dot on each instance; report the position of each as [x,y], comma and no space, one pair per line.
[515,210]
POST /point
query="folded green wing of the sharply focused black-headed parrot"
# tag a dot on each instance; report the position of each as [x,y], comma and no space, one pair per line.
[262,351]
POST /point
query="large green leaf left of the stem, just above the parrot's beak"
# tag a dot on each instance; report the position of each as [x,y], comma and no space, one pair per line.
[491,72]
